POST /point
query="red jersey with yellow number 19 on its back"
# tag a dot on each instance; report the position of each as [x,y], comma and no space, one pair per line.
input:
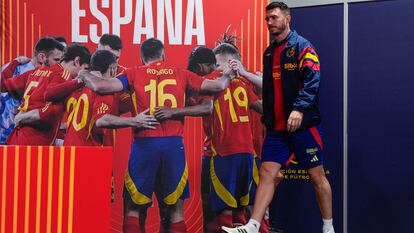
[230,121]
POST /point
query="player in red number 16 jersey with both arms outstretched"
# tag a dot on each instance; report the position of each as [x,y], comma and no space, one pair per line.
[157,161]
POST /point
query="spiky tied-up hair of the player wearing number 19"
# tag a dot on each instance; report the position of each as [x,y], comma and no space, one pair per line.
[227,45]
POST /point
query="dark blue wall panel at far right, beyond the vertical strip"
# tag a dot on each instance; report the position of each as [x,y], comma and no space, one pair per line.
[381,113]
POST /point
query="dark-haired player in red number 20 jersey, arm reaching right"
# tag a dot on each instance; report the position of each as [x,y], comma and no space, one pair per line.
[91,112]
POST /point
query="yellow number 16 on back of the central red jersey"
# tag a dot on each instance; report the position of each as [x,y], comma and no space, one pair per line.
[158,91]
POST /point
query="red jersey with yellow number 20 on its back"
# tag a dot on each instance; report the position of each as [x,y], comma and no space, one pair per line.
[85,107]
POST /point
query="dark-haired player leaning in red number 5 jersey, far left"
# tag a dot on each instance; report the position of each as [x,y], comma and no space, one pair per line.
[38,121]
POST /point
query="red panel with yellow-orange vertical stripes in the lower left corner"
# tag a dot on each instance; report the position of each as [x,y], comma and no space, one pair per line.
[55,189]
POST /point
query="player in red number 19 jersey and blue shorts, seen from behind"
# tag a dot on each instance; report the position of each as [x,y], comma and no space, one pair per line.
[232,145]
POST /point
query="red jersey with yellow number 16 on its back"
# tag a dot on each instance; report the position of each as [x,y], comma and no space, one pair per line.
[158,85]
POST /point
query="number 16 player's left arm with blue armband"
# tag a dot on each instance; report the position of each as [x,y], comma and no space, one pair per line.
[102,86]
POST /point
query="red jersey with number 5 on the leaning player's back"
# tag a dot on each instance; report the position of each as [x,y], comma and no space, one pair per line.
[35,83]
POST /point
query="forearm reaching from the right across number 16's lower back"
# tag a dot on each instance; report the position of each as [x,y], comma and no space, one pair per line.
[203,109]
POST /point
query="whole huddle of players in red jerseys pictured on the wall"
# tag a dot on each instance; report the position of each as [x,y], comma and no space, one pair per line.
[79,97]
